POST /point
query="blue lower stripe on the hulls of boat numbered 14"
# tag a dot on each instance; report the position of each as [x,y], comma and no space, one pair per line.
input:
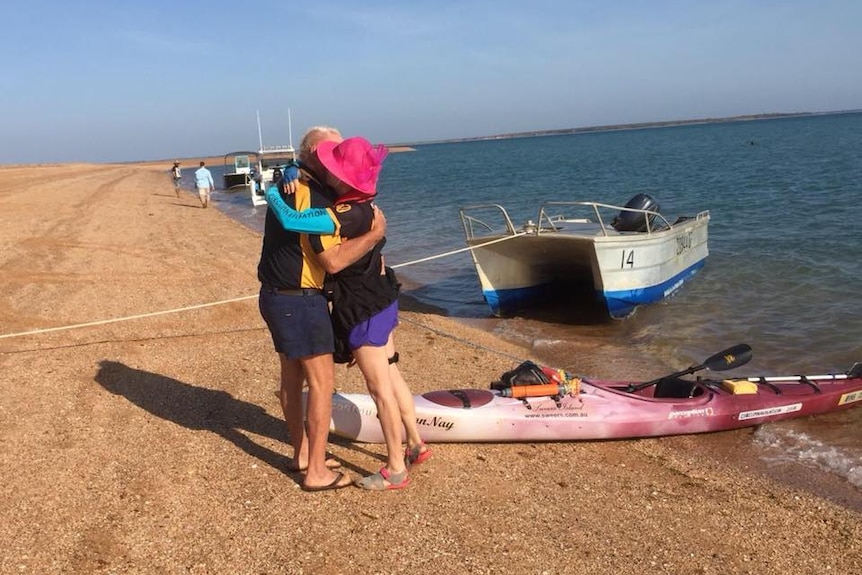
[619,303]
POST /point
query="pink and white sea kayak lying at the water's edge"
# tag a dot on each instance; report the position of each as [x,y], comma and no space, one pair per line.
[571,409]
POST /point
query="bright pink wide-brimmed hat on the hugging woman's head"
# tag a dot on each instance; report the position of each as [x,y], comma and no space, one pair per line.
[354,161]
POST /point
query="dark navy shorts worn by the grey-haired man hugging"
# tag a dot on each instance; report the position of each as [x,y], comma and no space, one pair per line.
[299,324]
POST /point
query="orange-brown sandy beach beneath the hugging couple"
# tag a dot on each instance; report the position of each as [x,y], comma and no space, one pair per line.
[156,444]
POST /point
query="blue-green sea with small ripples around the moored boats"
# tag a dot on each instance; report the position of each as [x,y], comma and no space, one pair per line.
[783,274]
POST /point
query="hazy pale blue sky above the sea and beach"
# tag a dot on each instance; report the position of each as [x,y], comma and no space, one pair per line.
[107,81]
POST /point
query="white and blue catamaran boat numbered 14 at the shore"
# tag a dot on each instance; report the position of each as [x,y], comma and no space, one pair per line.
[576,248]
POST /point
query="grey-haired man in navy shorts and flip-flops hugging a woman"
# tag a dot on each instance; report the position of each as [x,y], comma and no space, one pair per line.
[297,314]
